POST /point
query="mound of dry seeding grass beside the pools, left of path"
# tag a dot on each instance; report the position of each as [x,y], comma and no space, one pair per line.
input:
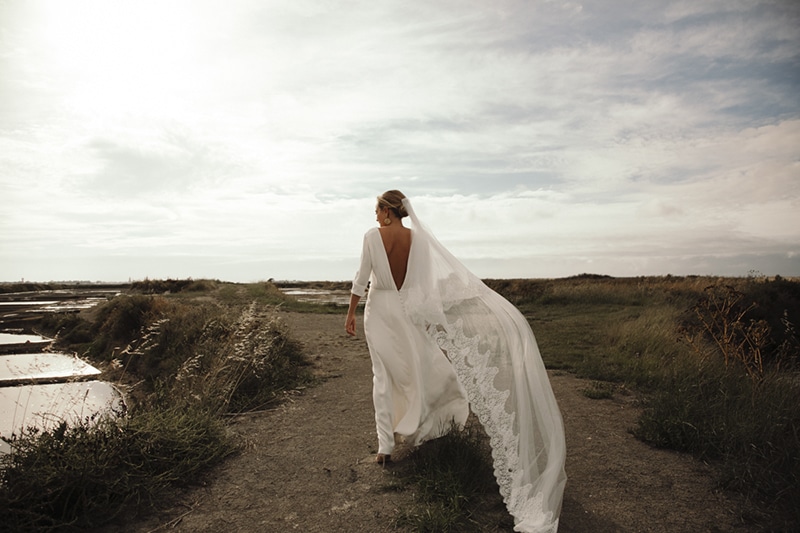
[185,344]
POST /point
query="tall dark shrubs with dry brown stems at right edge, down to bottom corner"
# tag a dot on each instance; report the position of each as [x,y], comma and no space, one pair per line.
[730,399]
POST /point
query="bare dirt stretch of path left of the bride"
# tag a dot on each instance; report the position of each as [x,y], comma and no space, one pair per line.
[305,465]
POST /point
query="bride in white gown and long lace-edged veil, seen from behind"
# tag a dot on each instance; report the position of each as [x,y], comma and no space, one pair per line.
[441,342]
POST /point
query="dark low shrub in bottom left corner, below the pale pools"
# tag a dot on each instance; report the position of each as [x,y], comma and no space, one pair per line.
[85,475]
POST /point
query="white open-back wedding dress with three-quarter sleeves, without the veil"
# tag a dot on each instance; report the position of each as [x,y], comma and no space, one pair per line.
[415,389]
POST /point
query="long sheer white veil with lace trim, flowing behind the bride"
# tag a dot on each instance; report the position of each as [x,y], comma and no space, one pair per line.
[492,348]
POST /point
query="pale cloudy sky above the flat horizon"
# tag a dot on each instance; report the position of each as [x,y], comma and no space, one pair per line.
[247,139]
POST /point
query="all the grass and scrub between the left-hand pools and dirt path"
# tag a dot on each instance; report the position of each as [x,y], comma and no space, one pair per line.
[185,358]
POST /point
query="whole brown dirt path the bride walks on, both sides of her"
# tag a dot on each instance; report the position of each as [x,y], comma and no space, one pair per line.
[307,465]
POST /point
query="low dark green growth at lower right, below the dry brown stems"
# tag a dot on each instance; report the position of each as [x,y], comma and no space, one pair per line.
[747,427]
